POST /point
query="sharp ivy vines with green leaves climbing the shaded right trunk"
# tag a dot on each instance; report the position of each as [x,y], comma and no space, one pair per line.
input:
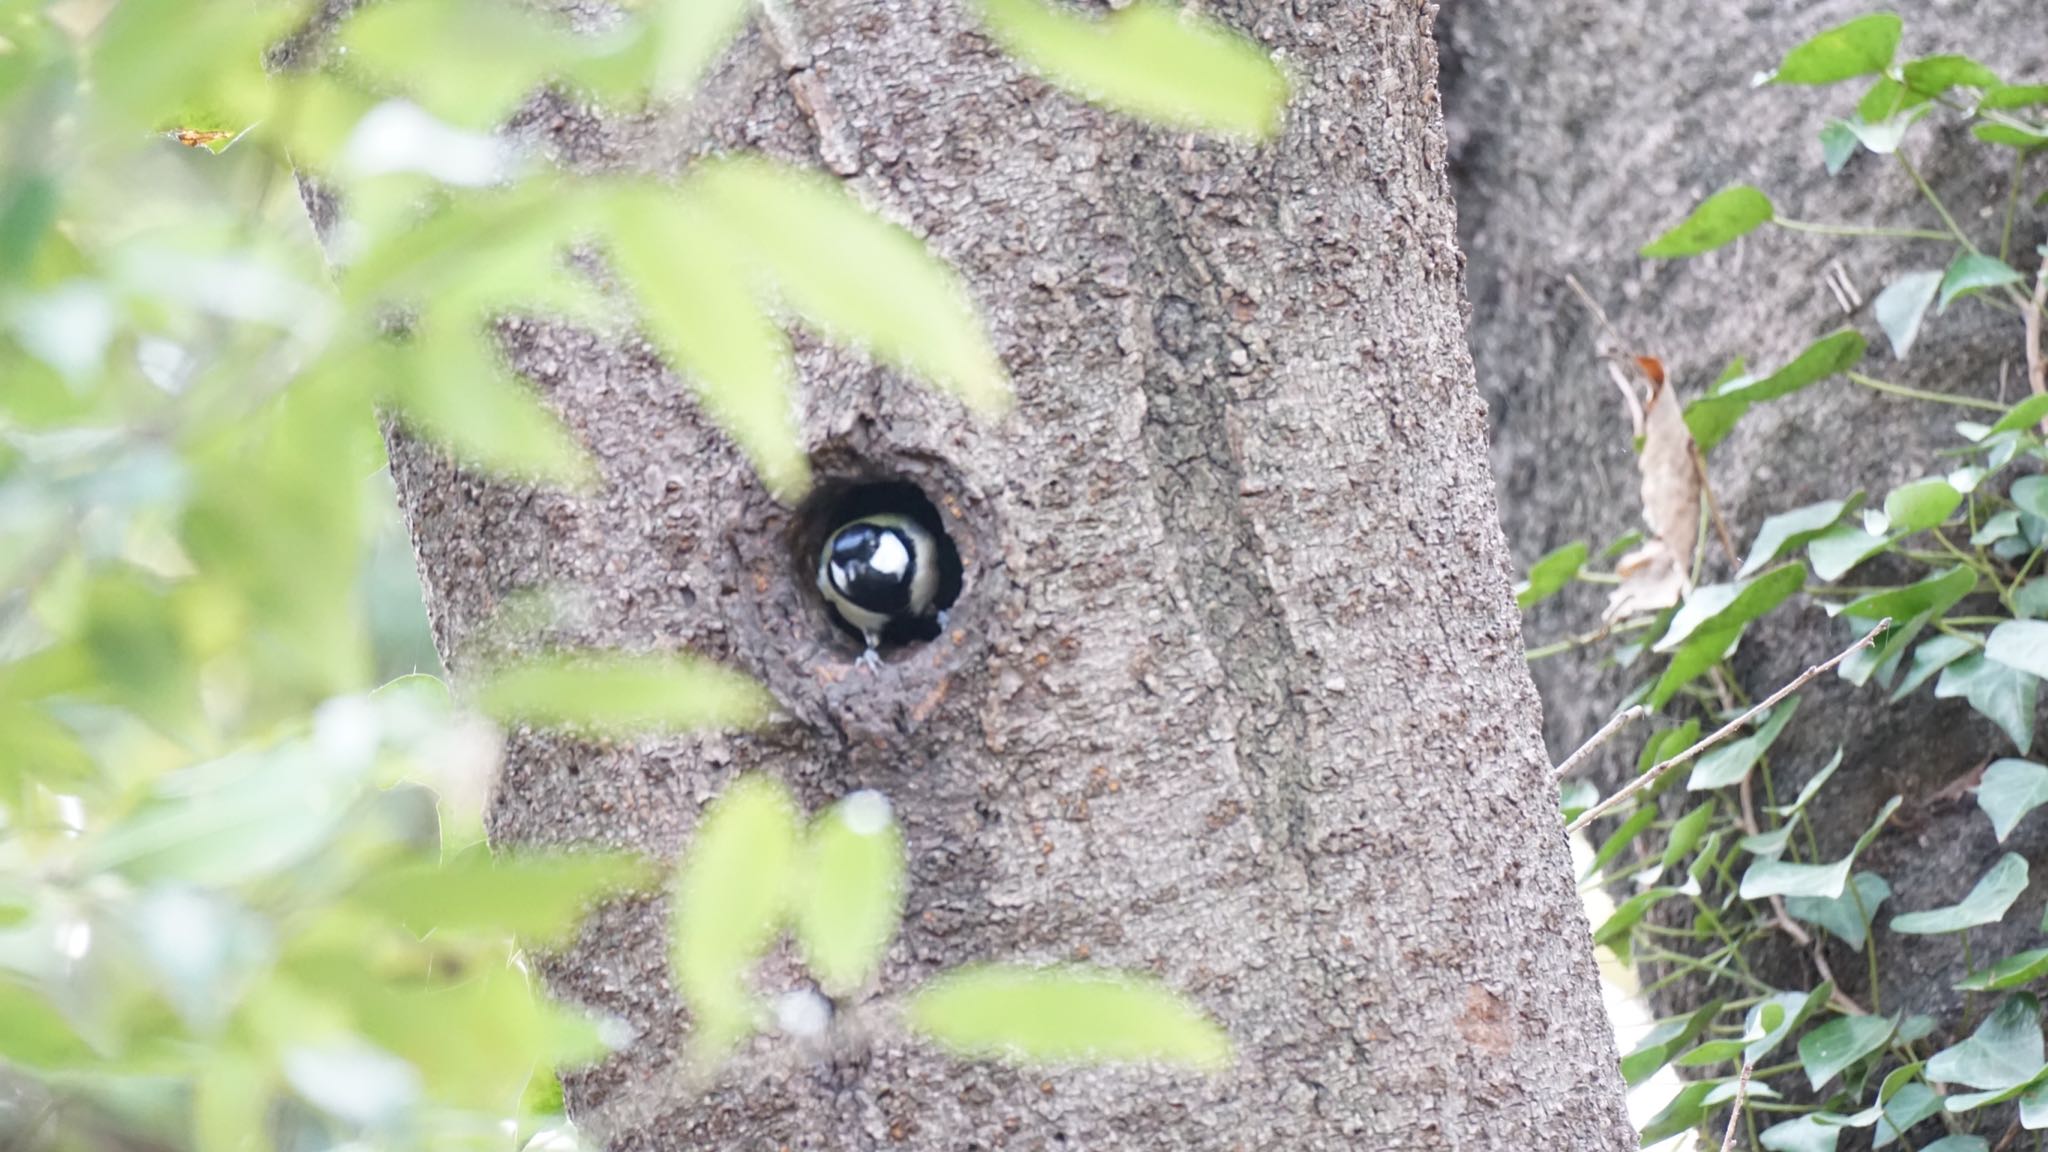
[1971,620]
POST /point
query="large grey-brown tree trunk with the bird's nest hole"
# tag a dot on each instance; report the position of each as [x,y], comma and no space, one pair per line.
[1234,692]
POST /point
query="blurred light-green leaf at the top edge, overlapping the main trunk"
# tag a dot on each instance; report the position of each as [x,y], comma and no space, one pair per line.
[1148,60]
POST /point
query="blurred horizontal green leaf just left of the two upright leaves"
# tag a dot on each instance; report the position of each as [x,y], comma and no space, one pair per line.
[536,897]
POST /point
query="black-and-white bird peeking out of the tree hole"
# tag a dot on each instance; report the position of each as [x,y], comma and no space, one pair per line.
[880,573]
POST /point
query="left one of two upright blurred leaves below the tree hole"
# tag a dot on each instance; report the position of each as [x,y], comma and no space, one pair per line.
[732,893]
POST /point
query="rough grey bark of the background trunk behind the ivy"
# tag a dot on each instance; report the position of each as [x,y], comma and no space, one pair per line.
[1582,132]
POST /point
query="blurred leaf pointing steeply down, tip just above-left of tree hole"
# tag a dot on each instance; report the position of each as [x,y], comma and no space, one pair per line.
[703,317]
